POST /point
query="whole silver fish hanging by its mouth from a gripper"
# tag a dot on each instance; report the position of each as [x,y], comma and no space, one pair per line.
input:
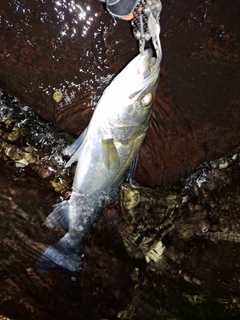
[105,153]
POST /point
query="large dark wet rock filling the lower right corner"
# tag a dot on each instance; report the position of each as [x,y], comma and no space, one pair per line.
[185,237]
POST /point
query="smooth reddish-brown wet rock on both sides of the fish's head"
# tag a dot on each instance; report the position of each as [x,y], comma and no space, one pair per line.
[75,48]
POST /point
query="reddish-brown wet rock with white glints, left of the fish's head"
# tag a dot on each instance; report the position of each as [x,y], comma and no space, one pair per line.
[70,48]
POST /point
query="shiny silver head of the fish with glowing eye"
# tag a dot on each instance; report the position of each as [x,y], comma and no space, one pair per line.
[133,93]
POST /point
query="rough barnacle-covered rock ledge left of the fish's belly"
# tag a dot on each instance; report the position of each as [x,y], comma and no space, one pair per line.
[27,141]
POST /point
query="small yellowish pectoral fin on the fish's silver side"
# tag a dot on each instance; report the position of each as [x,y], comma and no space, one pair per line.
[109,154]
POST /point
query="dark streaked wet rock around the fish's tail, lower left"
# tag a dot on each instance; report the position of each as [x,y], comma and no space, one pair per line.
[27,293]
